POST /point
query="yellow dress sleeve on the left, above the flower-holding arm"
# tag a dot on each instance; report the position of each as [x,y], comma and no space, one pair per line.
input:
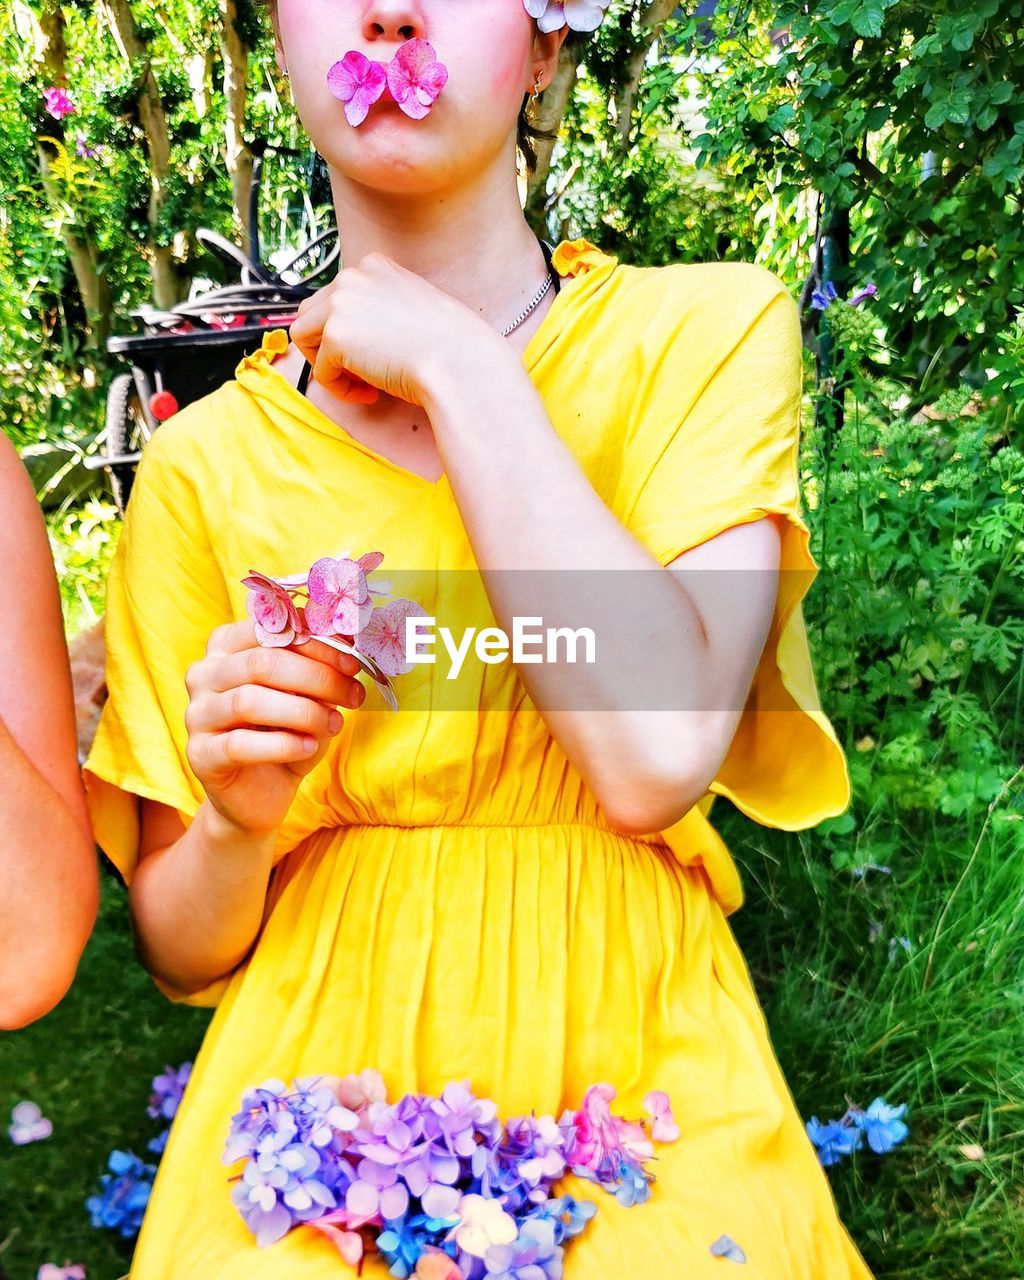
[164,597]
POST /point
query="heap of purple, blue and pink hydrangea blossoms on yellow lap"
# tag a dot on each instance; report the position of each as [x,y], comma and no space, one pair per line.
[451,1188]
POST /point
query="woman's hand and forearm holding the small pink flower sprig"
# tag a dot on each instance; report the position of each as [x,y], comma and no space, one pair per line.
[259,720]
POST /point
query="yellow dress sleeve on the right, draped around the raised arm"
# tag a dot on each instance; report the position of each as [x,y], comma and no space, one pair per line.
[729,459]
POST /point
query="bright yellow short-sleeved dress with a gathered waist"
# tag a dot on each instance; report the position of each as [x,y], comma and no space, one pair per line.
[449,902]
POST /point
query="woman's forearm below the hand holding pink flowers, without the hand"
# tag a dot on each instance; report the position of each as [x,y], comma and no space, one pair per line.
[199,904]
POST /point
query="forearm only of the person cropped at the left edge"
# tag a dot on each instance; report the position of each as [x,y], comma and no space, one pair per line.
[49,890]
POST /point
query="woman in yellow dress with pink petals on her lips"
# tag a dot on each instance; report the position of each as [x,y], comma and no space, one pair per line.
[519,889]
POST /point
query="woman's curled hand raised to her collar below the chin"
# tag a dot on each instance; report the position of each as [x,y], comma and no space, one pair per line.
[380,326]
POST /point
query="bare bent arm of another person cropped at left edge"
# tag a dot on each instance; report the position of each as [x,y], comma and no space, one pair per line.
[49,877]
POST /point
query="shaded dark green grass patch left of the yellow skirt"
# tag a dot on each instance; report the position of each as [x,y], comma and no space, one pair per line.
[89,1066]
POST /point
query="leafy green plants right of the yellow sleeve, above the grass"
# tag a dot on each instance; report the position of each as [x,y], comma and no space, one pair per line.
[922,550]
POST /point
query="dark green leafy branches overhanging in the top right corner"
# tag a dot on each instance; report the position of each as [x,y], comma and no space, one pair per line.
[909,117]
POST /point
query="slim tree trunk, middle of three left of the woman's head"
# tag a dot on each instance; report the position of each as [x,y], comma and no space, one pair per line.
[170,285]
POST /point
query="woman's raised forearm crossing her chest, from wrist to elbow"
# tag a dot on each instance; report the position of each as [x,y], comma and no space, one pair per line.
[505,460]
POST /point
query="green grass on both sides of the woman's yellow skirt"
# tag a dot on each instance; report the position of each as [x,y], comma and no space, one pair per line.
[852,1017]
